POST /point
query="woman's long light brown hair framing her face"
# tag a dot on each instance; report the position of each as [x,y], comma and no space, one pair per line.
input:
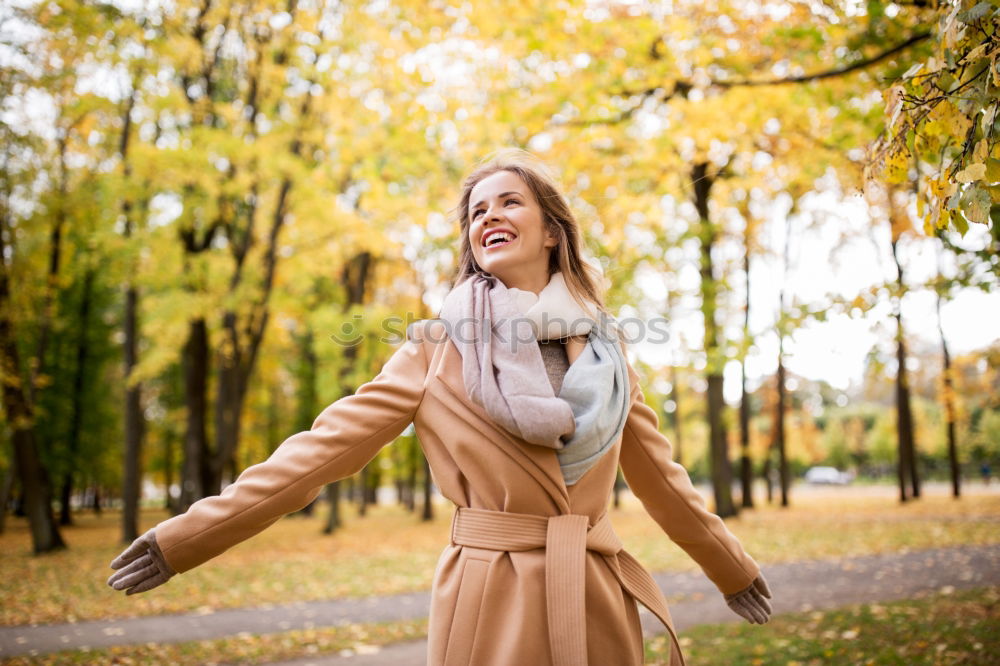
[583,280]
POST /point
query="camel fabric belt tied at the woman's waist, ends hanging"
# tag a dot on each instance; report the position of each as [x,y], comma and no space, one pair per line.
[565,539]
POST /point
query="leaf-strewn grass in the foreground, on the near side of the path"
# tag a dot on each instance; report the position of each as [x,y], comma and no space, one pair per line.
[945,628]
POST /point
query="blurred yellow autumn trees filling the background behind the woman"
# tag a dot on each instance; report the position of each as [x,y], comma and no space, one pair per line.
[199,199]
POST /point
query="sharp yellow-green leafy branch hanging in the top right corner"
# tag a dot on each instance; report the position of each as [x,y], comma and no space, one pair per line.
[942,112]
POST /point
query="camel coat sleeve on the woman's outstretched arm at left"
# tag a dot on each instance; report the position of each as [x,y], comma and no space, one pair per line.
[343,438]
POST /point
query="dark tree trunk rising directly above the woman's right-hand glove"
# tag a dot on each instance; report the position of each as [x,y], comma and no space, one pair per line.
[718,454]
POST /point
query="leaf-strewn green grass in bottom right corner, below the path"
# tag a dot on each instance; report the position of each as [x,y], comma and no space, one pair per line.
[944,628]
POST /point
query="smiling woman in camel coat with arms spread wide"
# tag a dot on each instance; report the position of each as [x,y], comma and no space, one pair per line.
[534,573]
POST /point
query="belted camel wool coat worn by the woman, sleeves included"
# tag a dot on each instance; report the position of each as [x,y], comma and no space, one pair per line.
[533,573]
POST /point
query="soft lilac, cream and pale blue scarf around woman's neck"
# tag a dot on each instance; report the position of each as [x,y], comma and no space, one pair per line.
[496,330]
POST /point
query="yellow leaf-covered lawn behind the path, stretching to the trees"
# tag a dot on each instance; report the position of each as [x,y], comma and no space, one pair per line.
[391,551]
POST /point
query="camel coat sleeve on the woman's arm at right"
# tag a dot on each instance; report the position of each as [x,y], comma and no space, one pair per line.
[668,495]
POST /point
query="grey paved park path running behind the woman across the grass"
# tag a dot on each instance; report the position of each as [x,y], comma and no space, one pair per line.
[798,586]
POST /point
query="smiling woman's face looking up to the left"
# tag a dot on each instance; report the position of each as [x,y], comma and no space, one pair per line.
[507,234]
